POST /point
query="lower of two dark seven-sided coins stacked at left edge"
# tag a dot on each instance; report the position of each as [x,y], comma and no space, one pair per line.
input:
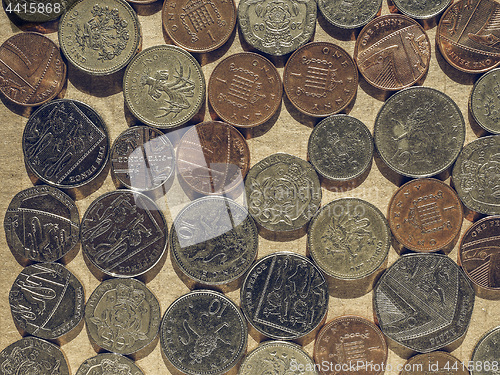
[46,301]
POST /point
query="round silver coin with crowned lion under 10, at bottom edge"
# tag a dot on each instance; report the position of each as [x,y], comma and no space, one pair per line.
[203,333]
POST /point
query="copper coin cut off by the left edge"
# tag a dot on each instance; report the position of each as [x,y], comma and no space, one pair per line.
[32,71]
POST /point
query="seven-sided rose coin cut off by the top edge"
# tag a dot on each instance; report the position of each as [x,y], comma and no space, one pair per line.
[277,27]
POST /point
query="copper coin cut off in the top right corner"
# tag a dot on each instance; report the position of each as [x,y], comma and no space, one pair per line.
[468,35]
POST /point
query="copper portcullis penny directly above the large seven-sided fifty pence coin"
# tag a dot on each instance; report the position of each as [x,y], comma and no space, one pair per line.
[425,215]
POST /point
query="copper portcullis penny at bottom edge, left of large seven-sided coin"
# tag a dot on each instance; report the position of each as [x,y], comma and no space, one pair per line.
[347,340]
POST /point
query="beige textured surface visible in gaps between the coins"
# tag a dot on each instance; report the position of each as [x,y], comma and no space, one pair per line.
[288,134]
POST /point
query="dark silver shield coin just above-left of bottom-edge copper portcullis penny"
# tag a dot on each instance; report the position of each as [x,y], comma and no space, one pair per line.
[284,296]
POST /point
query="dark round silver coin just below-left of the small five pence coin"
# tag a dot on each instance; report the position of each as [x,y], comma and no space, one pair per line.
[123,234]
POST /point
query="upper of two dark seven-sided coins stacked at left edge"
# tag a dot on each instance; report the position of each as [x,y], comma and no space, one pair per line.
[41,224]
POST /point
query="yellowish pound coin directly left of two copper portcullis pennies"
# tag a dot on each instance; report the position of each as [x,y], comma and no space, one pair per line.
[164,86]
